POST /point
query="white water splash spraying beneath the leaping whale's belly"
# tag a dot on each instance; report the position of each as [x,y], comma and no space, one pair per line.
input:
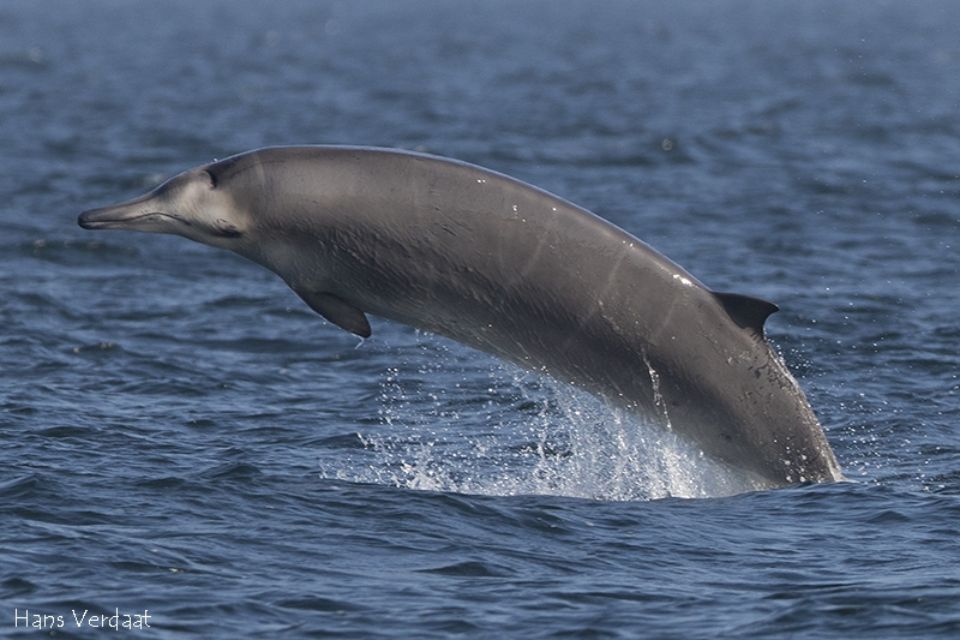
[499,430]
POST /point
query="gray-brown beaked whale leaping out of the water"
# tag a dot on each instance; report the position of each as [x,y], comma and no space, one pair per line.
[511,270]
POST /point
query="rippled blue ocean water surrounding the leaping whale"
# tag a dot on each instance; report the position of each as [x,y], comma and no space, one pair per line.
[182,437]
